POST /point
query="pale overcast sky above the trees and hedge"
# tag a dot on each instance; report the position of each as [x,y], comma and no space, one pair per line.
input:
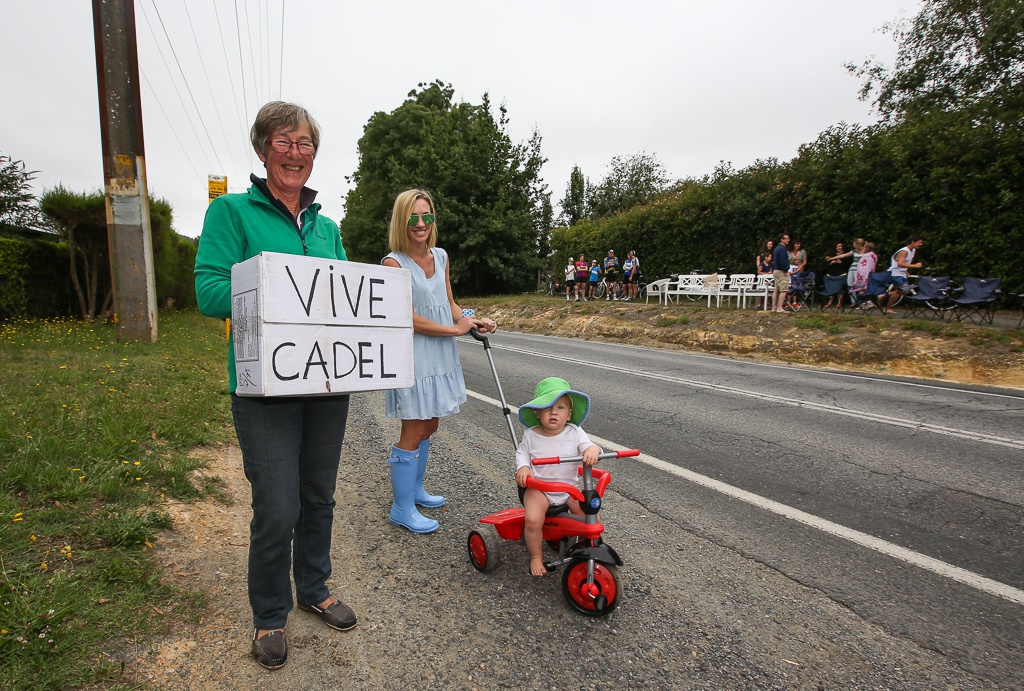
[693,82]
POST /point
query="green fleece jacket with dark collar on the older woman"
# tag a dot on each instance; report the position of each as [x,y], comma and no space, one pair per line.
[240,227]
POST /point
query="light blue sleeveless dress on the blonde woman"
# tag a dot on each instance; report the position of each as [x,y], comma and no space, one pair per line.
[440,387]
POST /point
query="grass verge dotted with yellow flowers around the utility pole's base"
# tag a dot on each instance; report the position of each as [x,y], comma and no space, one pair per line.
[96,438]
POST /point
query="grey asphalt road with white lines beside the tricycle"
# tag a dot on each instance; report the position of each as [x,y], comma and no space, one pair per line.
[899,500]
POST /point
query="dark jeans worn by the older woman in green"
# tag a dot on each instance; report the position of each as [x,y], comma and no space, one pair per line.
[291,448]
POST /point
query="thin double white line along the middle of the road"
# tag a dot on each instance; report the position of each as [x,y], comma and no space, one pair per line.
[796,403]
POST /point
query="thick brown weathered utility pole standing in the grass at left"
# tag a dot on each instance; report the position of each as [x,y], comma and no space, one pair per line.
[129,231]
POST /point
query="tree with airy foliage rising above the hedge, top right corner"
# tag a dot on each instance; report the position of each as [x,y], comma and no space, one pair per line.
[954,56]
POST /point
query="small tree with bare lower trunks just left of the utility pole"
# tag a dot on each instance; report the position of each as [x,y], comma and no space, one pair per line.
[81,222]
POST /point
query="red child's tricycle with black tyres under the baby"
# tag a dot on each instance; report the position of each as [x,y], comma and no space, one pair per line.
[590,583]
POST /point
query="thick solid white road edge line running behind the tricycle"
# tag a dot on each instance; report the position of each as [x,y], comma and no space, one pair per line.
[942,569]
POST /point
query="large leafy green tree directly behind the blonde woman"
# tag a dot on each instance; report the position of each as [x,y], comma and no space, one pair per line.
[491,201]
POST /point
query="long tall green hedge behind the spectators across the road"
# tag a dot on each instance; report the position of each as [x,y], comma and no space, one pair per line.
[958,183]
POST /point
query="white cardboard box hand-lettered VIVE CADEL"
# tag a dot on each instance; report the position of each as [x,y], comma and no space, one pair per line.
[306,326]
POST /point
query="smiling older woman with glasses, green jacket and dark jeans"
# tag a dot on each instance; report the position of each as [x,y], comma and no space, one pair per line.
[291,447]
